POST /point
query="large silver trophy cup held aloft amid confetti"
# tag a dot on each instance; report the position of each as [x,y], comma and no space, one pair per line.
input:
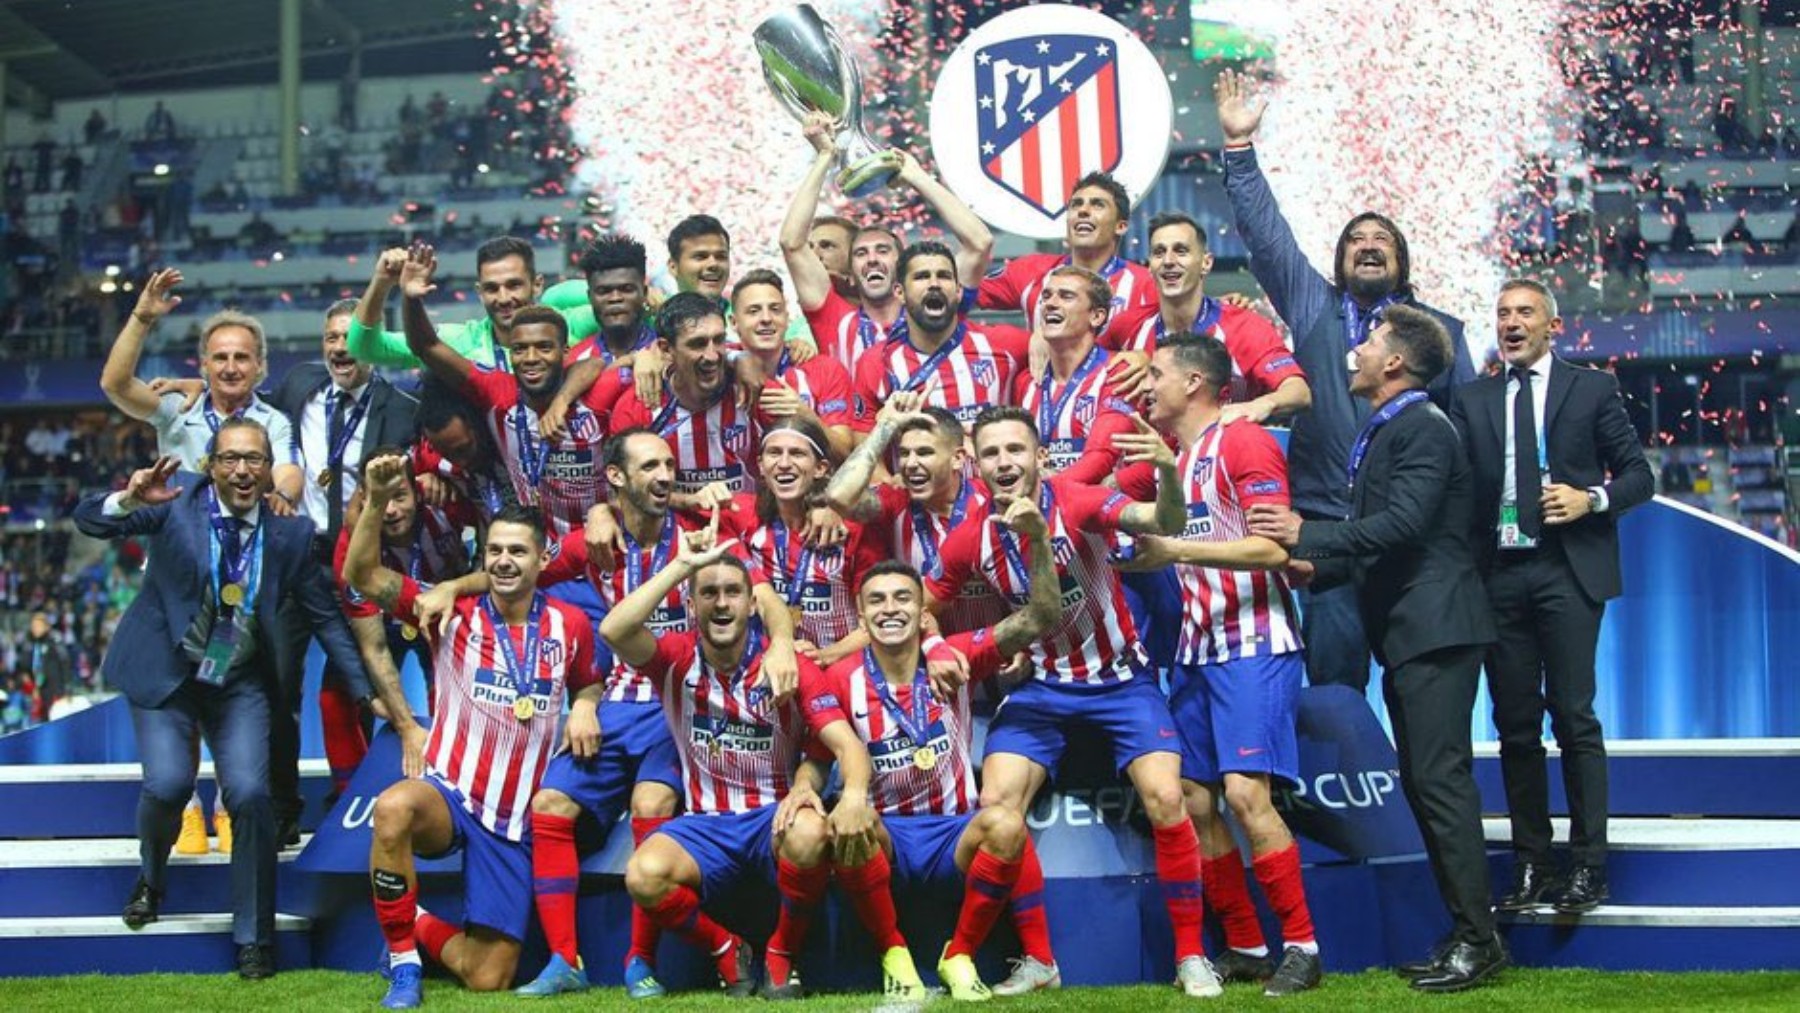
[809,71]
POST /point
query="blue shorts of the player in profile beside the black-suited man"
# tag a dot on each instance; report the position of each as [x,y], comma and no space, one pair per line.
[1237,717]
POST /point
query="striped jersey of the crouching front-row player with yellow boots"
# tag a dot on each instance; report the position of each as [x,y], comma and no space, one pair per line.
[901,787]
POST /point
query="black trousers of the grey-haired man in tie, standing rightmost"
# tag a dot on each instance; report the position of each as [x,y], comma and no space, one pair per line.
[1543,659]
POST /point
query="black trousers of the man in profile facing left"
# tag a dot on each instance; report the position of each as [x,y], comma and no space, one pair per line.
[1430,704]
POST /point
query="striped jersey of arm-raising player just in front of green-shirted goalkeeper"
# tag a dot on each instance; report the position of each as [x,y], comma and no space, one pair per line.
[570,474]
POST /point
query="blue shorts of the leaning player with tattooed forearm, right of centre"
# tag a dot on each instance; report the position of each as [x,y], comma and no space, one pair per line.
[1036,717]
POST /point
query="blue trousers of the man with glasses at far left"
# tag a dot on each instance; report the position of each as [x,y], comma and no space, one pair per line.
[235,722]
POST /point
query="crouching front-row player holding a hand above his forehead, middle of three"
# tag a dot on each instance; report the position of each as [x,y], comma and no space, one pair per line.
[751,805]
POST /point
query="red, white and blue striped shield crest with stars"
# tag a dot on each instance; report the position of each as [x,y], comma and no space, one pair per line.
[1050,112]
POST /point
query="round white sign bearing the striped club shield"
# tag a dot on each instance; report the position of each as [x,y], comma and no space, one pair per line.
[1038,98]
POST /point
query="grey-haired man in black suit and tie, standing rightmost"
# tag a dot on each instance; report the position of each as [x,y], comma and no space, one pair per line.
[1552,472]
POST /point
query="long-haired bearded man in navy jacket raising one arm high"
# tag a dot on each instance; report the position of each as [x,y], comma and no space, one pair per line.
[1329,318]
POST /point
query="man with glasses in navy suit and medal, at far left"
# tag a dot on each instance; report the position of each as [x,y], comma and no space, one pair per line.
[195,658]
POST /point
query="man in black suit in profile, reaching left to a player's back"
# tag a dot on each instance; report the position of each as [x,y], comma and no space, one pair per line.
[1407,550]
